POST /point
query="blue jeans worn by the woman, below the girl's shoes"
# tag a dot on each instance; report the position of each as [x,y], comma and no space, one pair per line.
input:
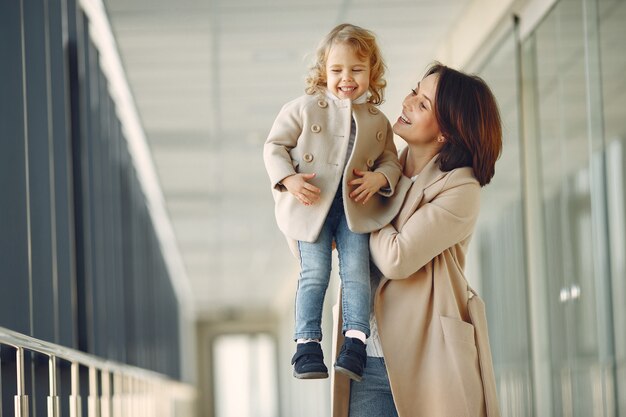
[372,396]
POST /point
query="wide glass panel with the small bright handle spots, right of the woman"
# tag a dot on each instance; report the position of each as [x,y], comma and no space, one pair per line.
[572,194]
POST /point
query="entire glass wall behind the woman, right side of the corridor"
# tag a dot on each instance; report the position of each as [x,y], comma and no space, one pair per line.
[552,232]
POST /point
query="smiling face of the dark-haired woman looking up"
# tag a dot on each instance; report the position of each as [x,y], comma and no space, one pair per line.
[417,123]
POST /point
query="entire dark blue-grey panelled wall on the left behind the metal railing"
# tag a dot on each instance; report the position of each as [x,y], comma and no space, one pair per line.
[80,260]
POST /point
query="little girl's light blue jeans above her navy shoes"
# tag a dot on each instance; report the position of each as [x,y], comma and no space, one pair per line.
[315,267]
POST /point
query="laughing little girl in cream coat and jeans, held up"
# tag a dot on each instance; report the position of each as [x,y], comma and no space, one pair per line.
[332,162]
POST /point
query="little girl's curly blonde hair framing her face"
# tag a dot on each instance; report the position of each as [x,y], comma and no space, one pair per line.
[364,43]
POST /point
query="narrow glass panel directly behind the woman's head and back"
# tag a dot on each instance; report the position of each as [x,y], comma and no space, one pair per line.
[501,242]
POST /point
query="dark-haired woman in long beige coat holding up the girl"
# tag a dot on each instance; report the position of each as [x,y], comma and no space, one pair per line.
[429,355]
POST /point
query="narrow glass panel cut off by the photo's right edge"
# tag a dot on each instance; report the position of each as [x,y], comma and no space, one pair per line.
[612,15]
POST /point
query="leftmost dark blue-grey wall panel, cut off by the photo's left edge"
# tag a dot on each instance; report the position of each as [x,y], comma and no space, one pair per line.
[14,239]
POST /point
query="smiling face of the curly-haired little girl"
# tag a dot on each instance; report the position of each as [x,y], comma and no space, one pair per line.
[347,75]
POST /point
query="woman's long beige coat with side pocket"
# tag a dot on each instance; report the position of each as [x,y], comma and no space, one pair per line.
[421,304]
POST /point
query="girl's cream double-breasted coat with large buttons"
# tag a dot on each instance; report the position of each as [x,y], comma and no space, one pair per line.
[311,135]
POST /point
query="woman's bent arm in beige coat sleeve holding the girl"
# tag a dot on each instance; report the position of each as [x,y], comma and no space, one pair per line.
[437,225]
